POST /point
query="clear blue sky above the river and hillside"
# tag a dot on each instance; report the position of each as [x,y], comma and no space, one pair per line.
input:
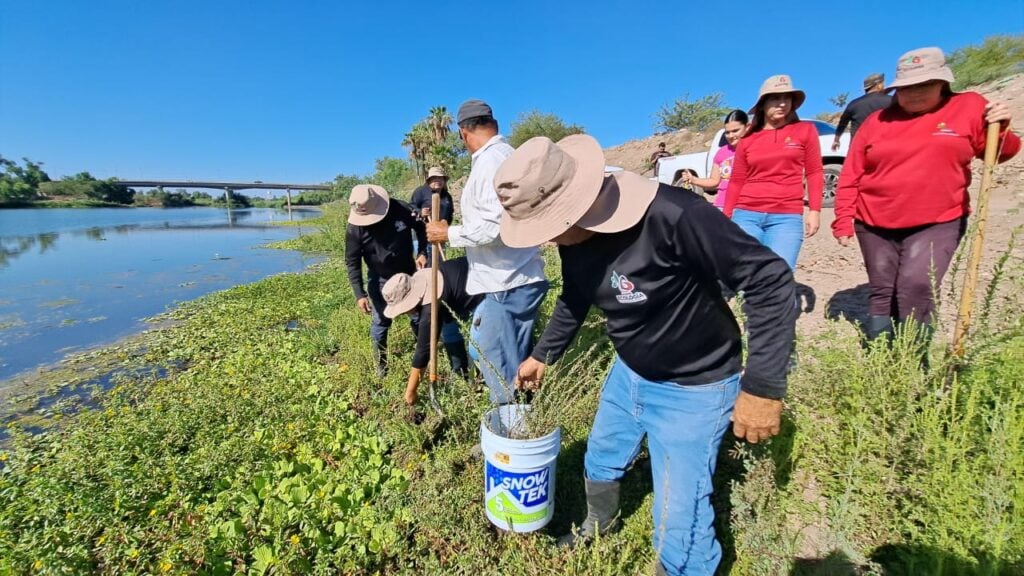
[301,92]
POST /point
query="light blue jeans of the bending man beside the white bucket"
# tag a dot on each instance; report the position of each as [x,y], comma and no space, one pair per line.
[685,428]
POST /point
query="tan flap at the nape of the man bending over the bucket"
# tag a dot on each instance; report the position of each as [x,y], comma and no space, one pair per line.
[623,202]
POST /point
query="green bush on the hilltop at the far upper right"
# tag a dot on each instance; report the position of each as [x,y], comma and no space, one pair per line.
[996,58]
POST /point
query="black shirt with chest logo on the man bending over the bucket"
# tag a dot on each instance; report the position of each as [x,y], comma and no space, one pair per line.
[658,283]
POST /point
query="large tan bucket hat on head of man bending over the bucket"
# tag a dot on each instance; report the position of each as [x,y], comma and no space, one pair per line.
[546,188]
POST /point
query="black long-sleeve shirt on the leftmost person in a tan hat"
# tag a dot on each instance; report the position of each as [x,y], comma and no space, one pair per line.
[386,246]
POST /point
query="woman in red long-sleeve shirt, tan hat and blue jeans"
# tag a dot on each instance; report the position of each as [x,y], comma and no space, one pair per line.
[766,192]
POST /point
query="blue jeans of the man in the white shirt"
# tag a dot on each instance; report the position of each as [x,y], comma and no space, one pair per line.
[502,336]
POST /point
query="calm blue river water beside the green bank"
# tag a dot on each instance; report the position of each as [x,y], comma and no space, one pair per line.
[72,279]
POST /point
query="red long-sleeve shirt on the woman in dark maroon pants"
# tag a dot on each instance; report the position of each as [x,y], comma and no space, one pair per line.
[908,171]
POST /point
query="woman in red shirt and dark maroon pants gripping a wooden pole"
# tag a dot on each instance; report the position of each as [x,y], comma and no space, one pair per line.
[904,187]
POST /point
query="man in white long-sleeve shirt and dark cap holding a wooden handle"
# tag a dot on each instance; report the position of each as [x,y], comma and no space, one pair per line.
[513,279]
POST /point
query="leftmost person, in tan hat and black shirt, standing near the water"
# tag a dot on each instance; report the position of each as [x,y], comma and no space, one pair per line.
[380,233]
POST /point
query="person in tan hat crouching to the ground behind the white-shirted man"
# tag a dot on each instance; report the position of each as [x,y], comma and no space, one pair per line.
[406,294]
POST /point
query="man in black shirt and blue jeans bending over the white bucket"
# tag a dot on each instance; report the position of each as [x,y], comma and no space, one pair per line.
[651,258]
